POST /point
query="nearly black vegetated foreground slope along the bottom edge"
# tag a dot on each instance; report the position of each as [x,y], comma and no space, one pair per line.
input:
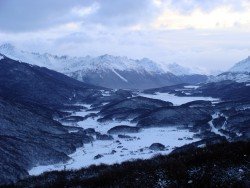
[220,165]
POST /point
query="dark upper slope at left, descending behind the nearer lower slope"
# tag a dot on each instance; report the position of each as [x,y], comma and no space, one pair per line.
[27,83]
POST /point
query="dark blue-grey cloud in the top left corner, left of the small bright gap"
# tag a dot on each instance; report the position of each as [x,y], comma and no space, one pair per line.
[28,15]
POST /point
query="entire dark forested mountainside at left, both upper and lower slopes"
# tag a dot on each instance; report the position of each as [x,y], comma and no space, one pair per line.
[30,97]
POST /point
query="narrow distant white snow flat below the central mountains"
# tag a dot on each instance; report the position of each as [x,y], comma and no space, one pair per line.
[176,100]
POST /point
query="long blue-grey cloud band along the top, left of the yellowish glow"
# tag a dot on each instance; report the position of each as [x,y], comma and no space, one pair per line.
[26,15]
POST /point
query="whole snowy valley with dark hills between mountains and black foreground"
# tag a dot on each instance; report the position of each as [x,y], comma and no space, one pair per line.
[68,125]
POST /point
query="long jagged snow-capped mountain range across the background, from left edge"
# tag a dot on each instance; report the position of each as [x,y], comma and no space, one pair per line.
[106,70]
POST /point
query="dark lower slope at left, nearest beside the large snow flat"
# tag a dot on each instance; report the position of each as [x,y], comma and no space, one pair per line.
[28,138]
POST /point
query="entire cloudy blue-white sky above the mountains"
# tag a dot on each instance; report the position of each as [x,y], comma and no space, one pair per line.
[209,34]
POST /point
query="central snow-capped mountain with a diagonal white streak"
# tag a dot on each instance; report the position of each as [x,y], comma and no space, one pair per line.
[121,72]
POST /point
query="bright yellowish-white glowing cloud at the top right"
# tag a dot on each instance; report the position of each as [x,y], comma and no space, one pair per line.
[203,16]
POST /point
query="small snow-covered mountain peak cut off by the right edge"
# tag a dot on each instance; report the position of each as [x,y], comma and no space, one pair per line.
[240,72]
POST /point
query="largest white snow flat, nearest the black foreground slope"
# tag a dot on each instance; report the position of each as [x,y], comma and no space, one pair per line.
[125,149]
